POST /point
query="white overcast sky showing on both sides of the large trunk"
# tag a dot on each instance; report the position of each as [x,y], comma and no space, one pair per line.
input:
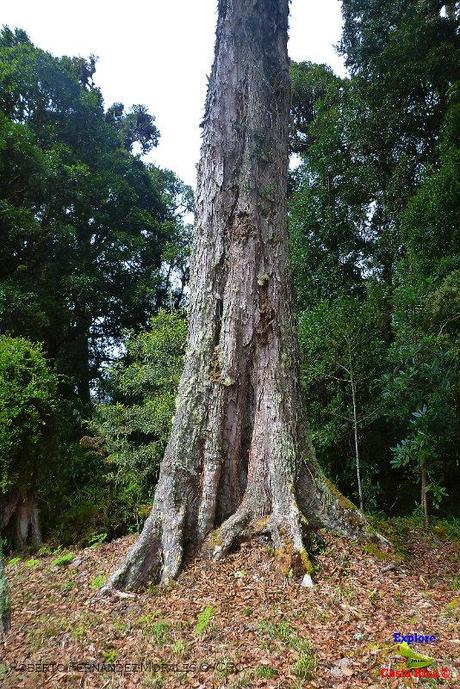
[159,52]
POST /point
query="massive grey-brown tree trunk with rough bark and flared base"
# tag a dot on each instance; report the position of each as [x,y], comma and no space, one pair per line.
[238,461]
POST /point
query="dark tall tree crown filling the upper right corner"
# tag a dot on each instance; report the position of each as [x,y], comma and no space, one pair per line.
[404,58]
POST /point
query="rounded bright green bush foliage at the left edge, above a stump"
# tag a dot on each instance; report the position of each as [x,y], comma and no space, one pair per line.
[28,410]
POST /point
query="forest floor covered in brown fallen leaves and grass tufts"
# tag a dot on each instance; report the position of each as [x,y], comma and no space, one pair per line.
[237,623]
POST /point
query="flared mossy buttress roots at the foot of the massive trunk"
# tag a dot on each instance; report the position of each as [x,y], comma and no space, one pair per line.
[158,554]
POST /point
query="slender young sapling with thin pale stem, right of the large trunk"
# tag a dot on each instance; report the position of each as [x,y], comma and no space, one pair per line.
[342,351]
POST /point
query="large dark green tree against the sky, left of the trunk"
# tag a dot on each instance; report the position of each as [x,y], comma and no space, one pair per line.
[84,221]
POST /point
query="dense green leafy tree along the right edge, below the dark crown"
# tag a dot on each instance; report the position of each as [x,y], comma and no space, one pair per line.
[422,392]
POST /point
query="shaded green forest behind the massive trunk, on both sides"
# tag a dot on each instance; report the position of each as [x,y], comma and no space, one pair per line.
[94,269]
